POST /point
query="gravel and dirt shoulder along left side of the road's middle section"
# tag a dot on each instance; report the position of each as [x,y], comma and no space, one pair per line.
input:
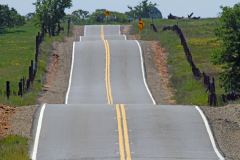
[58,72]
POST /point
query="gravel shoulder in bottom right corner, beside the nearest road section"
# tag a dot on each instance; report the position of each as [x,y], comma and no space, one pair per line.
[225,123]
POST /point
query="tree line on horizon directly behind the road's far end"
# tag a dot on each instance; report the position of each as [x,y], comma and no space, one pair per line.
[144,9]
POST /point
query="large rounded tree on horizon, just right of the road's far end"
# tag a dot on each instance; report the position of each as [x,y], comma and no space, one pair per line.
[145,9]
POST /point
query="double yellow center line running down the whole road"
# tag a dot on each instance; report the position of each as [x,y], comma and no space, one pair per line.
[123,138]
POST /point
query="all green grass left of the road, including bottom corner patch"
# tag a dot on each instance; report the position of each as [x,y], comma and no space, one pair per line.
[17,47]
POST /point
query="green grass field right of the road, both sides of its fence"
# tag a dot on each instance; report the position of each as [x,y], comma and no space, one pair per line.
[202,43]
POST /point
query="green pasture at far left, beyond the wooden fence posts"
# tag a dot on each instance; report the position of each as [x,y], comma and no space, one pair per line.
[17,47]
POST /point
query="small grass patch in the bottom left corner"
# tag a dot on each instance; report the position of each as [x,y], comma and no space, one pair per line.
[14,148]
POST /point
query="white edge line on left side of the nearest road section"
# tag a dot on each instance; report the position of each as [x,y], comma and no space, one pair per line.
[39,126]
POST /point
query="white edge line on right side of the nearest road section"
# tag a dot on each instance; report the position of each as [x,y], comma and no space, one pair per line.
[210,133]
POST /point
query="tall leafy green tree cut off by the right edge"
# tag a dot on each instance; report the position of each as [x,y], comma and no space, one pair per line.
[228,56]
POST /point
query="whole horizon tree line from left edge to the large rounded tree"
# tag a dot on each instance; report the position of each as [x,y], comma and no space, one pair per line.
[49,15]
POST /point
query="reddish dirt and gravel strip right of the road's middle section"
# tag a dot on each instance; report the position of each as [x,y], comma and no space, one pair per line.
[157,75]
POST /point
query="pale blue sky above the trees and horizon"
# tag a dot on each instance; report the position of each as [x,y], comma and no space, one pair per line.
[203,8]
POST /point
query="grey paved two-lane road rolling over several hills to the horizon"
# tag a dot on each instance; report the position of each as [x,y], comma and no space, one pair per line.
[109,112]
